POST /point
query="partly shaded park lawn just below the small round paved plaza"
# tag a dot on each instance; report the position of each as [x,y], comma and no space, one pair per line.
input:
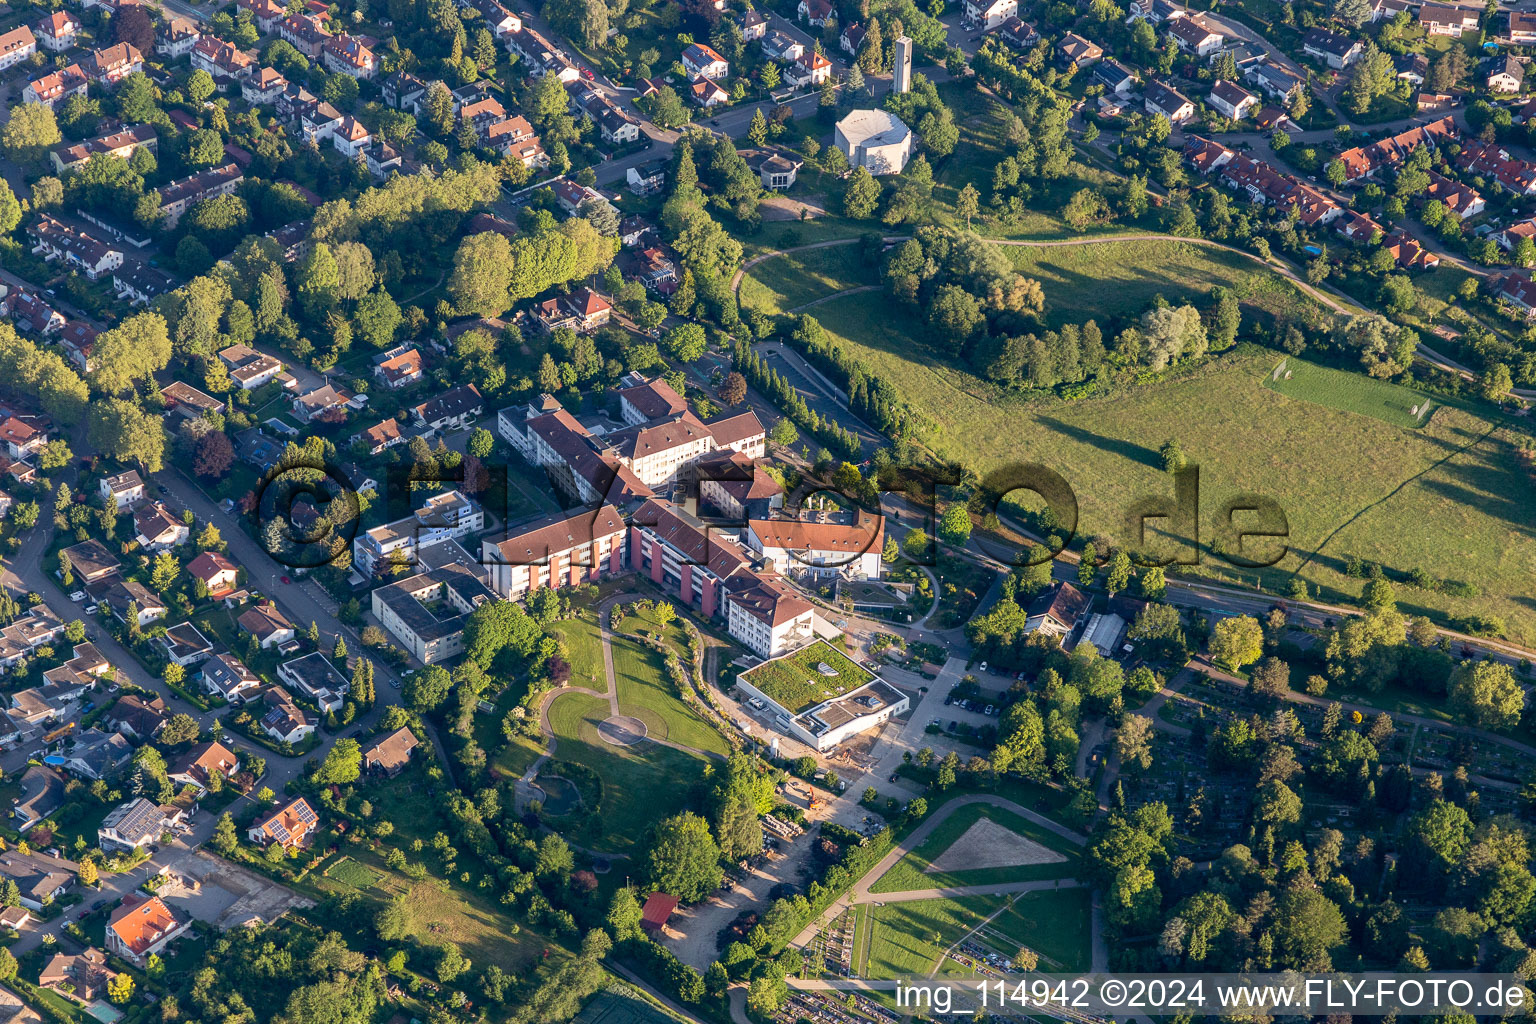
[640,785]
